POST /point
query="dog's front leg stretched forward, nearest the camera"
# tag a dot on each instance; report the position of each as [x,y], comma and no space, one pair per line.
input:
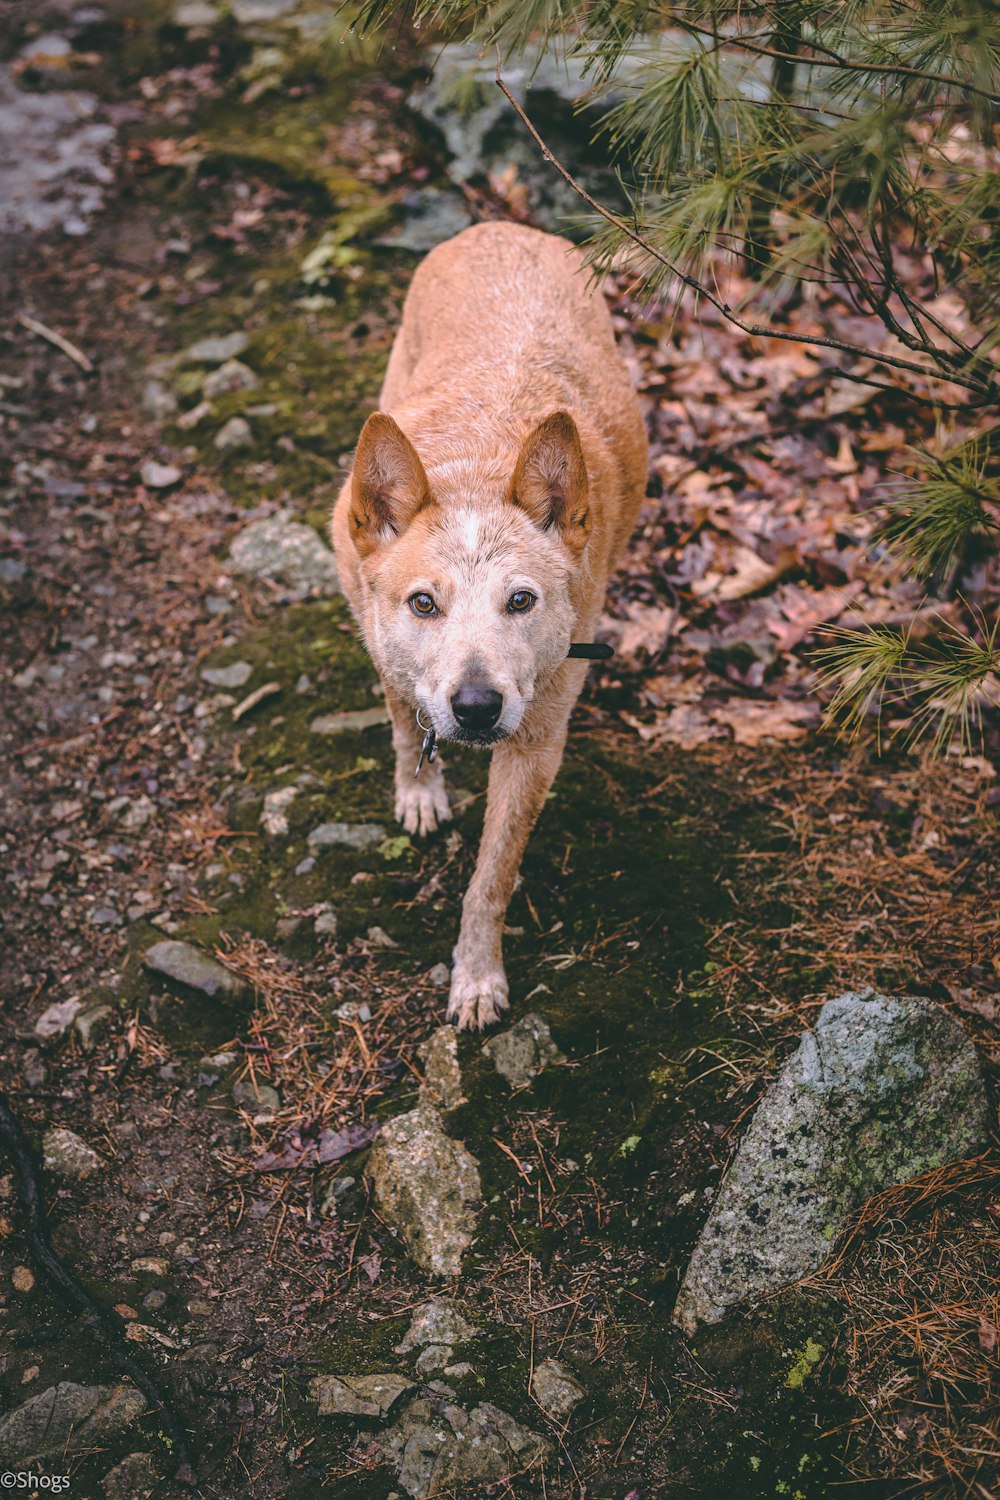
[521,778]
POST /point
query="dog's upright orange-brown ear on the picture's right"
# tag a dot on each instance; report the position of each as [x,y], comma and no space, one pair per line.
[551,481]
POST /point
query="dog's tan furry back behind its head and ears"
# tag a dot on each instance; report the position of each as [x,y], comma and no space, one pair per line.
[503,325]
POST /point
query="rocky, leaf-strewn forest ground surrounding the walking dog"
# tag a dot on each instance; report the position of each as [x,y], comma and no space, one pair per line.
[317,1246]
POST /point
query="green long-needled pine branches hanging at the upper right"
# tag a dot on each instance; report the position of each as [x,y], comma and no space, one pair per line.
[821,143]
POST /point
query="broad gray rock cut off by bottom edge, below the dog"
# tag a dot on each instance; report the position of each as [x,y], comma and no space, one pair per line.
[439,1448]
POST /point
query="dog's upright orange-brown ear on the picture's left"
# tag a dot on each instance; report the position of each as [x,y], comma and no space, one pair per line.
[389,484]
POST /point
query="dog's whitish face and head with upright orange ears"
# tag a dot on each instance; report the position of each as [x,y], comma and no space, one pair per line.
[470,605]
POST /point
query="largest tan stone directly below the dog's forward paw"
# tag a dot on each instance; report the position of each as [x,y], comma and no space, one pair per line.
[427,1187]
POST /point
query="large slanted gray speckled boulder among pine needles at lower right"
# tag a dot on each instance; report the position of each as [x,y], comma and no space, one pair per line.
[879,1093]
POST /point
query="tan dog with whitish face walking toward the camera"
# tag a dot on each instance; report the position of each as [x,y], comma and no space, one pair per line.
[490,500]
